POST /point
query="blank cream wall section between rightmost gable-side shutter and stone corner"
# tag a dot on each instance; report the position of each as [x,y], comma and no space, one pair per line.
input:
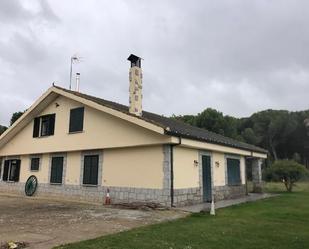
[140,167]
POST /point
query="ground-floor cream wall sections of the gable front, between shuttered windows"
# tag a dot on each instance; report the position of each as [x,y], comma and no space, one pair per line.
[140,167]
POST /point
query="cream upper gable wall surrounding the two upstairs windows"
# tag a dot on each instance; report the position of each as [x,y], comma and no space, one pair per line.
[101,130]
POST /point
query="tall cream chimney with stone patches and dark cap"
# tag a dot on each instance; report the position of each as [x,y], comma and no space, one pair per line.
[135,89]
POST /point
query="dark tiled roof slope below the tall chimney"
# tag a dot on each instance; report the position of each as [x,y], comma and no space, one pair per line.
[172,126]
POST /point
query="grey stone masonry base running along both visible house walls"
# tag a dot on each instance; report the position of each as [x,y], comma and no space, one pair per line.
[182,197]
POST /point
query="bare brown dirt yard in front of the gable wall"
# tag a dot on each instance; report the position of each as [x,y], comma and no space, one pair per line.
[46,223]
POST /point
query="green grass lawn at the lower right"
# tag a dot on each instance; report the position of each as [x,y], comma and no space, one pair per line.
[280,222]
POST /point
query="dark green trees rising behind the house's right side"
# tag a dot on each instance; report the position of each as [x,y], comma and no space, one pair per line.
[284,134]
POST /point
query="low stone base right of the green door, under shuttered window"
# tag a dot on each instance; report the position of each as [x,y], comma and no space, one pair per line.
[229,192]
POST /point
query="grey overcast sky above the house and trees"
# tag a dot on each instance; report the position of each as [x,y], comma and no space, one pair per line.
[235,56]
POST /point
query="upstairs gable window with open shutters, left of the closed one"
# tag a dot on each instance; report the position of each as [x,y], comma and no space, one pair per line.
[44,126]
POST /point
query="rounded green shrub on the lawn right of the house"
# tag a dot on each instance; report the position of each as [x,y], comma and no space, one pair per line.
[286,171]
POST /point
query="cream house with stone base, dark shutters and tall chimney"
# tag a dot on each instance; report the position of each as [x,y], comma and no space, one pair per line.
[78,146]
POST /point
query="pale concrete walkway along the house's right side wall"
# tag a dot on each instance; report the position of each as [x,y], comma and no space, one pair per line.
[226,203]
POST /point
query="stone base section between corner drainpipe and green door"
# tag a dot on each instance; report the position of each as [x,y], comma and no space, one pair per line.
[187,196]
